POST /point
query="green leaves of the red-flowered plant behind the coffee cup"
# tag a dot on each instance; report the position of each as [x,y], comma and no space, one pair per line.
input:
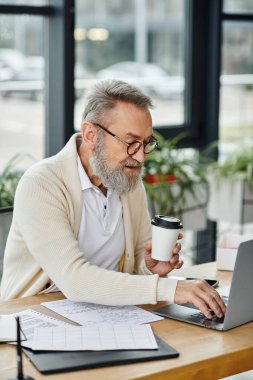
[187,170]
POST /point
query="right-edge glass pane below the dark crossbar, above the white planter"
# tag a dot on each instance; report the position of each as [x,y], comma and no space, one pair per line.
[236,92]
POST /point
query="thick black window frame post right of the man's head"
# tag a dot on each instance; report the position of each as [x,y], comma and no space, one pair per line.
[202,67]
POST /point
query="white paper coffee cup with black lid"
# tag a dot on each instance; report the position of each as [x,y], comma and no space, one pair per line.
[165,231]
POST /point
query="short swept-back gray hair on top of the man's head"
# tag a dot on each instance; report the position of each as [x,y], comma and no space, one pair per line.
[105,94]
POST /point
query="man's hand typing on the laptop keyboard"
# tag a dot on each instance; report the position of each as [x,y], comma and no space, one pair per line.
[202,295]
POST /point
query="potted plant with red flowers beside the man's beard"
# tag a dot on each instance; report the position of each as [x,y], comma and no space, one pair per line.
[175,183]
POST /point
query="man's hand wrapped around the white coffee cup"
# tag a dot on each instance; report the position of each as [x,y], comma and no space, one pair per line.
[163,267]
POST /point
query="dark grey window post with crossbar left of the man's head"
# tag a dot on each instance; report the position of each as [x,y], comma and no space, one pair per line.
[59,67]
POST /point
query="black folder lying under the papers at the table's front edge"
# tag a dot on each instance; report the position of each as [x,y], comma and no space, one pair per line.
[53,362]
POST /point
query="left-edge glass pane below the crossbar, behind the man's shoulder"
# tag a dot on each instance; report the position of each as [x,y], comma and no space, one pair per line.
[22,121]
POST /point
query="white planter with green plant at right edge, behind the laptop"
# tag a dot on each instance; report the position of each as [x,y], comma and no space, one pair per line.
[231,187]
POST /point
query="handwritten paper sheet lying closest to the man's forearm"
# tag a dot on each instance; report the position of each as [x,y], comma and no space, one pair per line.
[88,313]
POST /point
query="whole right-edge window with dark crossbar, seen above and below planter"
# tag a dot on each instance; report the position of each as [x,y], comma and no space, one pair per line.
[236,90]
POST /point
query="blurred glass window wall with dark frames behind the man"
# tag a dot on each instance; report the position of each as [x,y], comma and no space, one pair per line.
[193,57]
